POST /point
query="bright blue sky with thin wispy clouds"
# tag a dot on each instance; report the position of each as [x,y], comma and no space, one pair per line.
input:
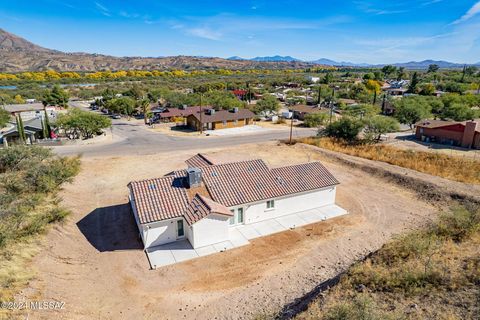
[359,31]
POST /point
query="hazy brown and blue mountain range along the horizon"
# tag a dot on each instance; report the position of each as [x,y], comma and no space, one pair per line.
[18,54]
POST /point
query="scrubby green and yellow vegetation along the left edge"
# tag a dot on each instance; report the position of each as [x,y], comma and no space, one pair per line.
[30,179]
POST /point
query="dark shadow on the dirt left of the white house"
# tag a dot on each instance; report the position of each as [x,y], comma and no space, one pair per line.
[111,228]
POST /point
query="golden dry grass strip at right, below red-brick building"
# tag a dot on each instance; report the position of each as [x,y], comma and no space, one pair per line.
[449,167]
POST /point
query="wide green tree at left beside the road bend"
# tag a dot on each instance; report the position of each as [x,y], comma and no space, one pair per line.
[82,124]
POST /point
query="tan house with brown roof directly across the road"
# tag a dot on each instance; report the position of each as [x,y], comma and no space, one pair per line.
[211,119]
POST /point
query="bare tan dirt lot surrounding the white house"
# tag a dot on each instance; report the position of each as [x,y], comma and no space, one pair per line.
[95,264]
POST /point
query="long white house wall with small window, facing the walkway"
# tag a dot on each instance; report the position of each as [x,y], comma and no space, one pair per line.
[283,206]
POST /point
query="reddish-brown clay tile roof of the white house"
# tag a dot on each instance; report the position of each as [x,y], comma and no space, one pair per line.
[228,184]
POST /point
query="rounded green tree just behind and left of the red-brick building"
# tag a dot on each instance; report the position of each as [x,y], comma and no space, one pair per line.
[410,110]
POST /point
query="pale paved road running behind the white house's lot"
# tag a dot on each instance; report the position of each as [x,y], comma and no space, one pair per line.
[131,137]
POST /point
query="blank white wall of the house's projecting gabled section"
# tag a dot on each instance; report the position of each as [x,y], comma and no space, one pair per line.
[210,230]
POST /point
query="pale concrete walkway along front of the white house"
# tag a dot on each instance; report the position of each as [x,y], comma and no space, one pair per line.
[179,251]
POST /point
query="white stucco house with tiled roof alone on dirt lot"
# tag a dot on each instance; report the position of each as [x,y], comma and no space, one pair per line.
[203,202]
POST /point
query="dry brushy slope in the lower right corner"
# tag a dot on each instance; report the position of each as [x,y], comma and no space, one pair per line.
[432,273]
